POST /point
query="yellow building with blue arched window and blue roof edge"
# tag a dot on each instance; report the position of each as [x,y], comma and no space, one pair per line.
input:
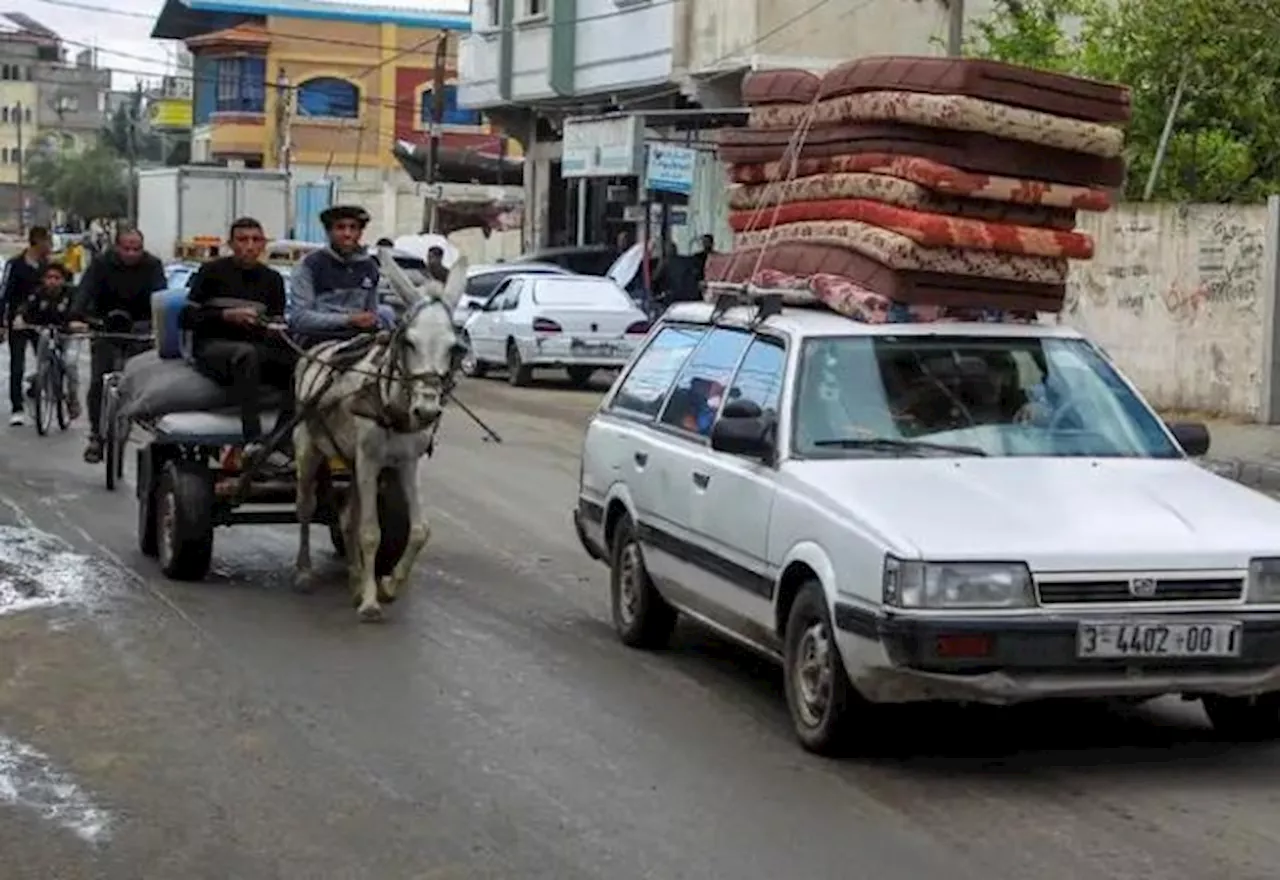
[323,90]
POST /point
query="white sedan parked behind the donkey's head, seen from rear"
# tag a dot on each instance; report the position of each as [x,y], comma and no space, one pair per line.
[577,323]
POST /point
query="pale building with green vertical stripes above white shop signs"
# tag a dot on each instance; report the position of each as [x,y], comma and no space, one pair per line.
[533,65]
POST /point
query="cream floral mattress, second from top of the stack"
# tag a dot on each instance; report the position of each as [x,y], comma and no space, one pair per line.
[954,113]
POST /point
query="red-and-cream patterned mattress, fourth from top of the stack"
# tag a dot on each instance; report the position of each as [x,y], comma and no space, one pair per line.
[862,176]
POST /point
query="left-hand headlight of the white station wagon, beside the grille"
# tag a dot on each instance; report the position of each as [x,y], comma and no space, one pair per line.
[958,585]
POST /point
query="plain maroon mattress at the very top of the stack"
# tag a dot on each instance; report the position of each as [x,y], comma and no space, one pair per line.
[991,81]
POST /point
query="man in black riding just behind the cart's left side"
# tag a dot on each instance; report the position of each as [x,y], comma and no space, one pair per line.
[121,281]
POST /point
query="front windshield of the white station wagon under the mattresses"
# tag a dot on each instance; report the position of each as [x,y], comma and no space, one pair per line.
[968,396]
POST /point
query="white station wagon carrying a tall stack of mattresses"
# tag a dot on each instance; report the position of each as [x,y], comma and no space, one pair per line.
[927,512]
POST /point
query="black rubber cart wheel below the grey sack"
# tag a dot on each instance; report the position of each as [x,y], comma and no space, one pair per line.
[185,524]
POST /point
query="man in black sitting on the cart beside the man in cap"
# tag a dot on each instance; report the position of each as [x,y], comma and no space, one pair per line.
[228,308]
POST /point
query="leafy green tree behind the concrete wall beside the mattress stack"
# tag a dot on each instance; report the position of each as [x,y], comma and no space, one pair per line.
[1226,143]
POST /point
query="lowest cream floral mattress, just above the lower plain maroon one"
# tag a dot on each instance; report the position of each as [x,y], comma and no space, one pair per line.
[897,251]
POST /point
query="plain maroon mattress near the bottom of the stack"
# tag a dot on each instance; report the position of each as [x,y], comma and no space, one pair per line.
[904,287]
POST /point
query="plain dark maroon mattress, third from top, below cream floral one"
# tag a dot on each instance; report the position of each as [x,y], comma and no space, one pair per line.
[968,152]
